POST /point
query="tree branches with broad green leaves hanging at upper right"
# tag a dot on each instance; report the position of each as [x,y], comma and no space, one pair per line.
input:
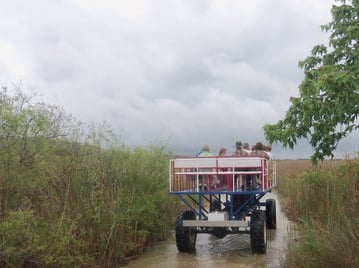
[328,106]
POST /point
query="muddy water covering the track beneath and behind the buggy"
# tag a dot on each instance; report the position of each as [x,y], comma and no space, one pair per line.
[230,251]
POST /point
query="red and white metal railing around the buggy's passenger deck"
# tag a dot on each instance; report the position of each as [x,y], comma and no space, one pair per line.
[222,173]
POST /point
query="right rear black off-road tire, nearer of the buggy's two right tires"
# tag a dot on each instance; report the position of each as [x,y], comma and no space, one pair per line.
[258,232]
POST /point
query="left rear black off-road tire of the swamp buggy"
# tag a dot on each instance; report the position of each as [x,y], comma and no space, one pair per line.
[185,236]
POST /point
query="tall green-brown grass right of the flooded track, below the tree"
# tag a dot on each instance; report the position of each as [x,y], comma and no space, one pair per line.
[324,200]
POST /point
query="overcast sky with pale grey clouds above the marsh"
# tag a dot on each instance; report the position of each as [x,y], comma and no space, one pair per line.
[179,72]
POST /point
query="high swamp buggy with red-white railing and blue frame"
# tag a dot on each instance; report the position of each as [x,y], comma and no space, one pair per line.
[223,195]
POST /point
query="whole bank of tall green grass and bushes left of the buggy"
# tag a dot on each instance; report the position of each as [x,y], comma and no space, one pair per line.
[75,197]
